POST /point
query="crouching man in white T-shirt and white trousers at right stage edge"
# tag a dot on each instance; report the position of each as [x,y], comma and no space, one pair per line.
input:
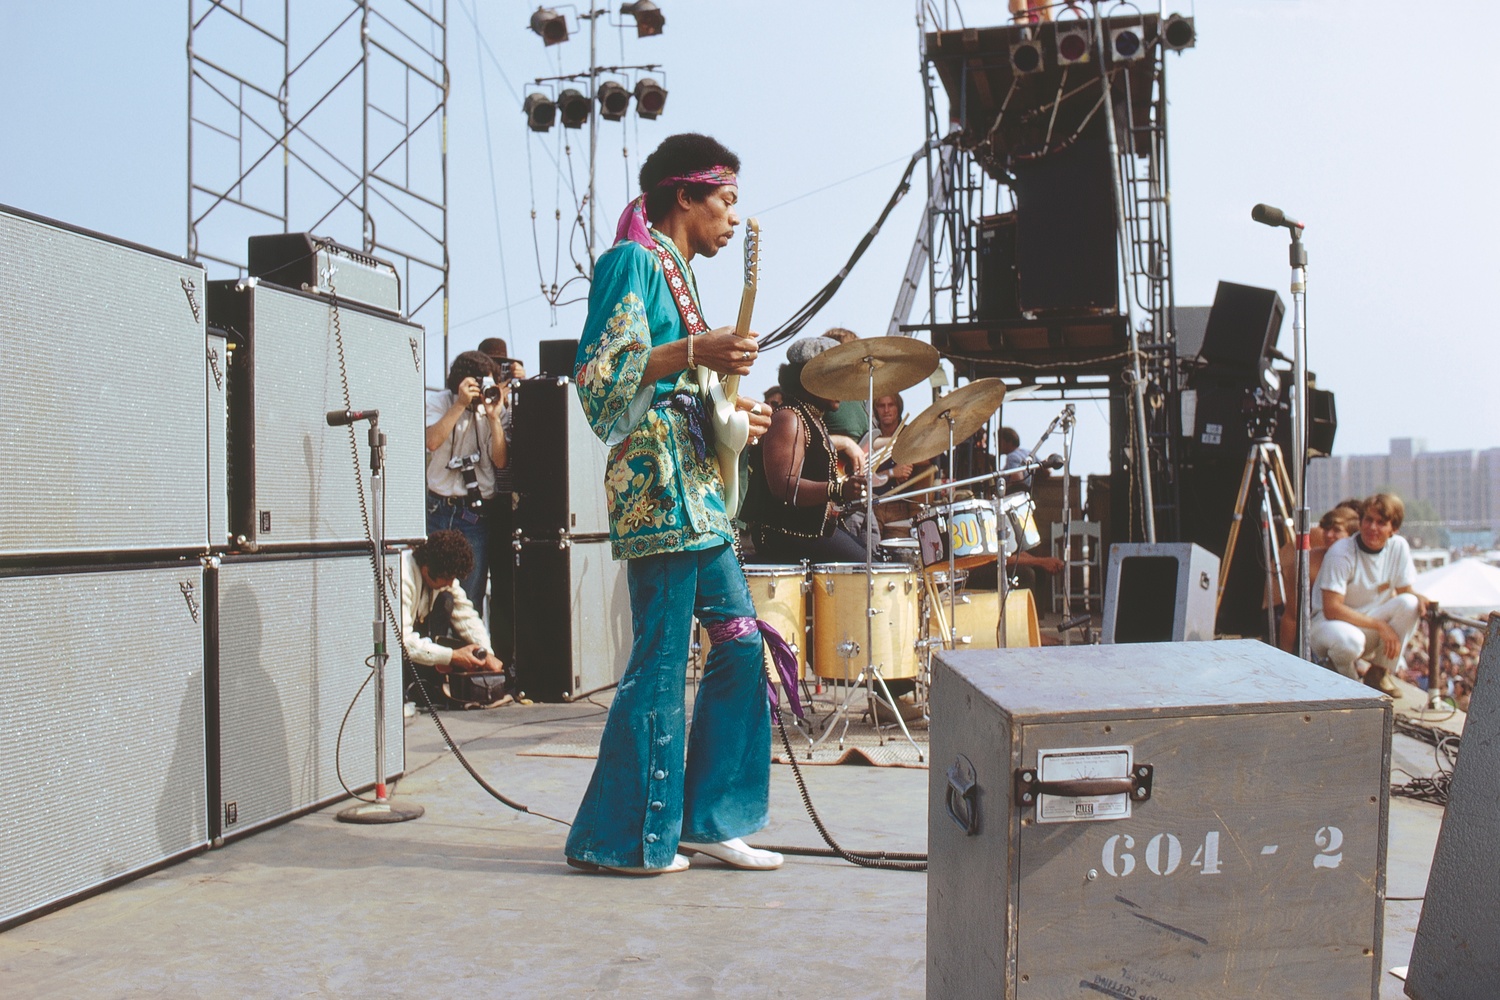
[1363,602]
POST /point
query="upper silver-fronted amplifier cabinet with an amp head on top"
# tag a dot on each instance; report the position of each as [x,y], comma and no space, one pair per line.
[292,476]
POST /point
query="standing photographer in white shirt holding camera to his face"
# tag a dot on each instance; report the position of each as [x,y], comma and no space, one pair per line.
[467,443]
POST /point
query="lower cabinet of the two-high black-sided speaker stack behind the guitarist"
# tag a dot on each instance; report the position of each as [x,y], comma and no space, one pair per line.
[572,618]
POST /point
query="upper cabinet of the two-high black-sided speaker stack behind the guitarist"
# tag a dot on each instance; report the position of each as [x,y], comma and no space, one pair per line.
[557,463]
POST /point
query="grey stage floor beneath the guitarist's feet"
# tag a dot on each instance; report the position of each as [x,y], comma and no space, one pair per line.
[476,900]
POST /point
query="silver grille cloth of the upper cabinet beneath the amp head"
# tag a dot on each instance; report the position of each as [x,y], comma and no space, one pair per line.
[304,470]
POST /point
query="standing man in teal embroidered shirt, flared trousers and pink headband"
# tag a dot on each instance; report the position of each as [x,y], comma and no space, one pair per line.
[637,377]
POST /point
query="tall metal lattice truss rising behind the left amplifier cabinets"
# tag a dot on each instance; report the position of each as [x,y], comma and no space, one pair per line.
[328,118]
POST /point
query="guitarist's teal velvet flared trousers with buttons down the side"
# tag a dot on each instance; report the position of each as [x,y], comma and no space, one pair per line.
[643,800]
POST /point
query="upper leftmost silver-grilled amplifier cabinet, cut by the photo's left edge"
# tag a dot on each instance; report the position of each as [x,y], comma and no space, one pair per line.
[101,395]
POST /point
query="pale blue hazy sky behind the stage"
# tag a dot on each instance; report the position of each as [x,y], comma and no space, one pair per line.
[1375,127]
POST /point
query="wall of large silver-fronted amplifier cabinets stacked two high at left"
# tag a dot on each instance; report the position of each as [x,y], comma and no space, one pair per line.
[182,551]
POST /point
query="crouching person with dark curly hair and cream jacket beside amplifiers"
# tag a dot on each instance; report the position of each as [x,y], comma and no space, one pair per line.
[440,630]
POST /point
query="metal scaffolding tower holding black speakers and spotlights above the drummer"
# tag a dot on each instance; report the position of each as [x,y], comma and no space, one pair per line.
[1007,106]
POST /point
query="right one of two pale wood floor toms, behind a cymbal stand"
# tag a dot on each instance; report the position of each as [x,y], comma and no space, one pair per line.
[839,621]
